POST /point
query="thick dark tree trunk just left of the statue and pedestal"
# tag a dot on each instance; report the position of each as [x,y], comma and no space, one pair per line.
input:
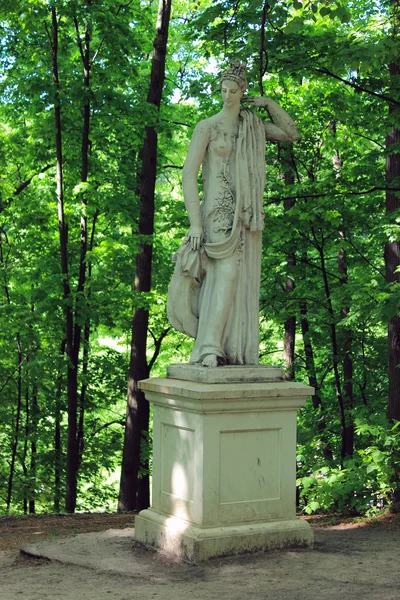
[134,493]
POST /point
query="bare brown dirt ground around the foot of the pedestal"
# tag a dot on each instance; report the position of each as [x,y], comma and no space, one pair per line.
[356,561]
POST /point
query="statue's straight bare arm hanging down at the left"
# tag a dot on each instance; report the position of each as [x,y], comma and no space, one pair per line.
[195,155]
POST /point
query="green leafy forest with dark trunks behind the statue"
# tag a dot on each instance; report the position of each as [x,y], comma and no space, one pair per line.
[95,120]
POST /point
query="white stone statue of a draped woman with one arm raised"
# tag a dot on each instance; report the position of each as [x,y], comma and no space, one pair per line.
[214,292]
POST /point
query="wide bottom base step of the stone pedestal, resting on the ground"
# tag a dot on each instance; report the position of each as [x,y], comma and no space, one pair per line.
[190,542]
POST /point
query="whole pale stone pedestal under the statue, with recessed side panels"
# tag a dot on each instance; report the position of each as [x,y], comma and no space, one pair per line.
[224,462]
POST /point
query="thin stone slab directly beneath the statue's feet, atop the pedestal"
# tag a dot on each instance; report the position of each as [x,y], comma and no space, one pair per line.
[227,374]
